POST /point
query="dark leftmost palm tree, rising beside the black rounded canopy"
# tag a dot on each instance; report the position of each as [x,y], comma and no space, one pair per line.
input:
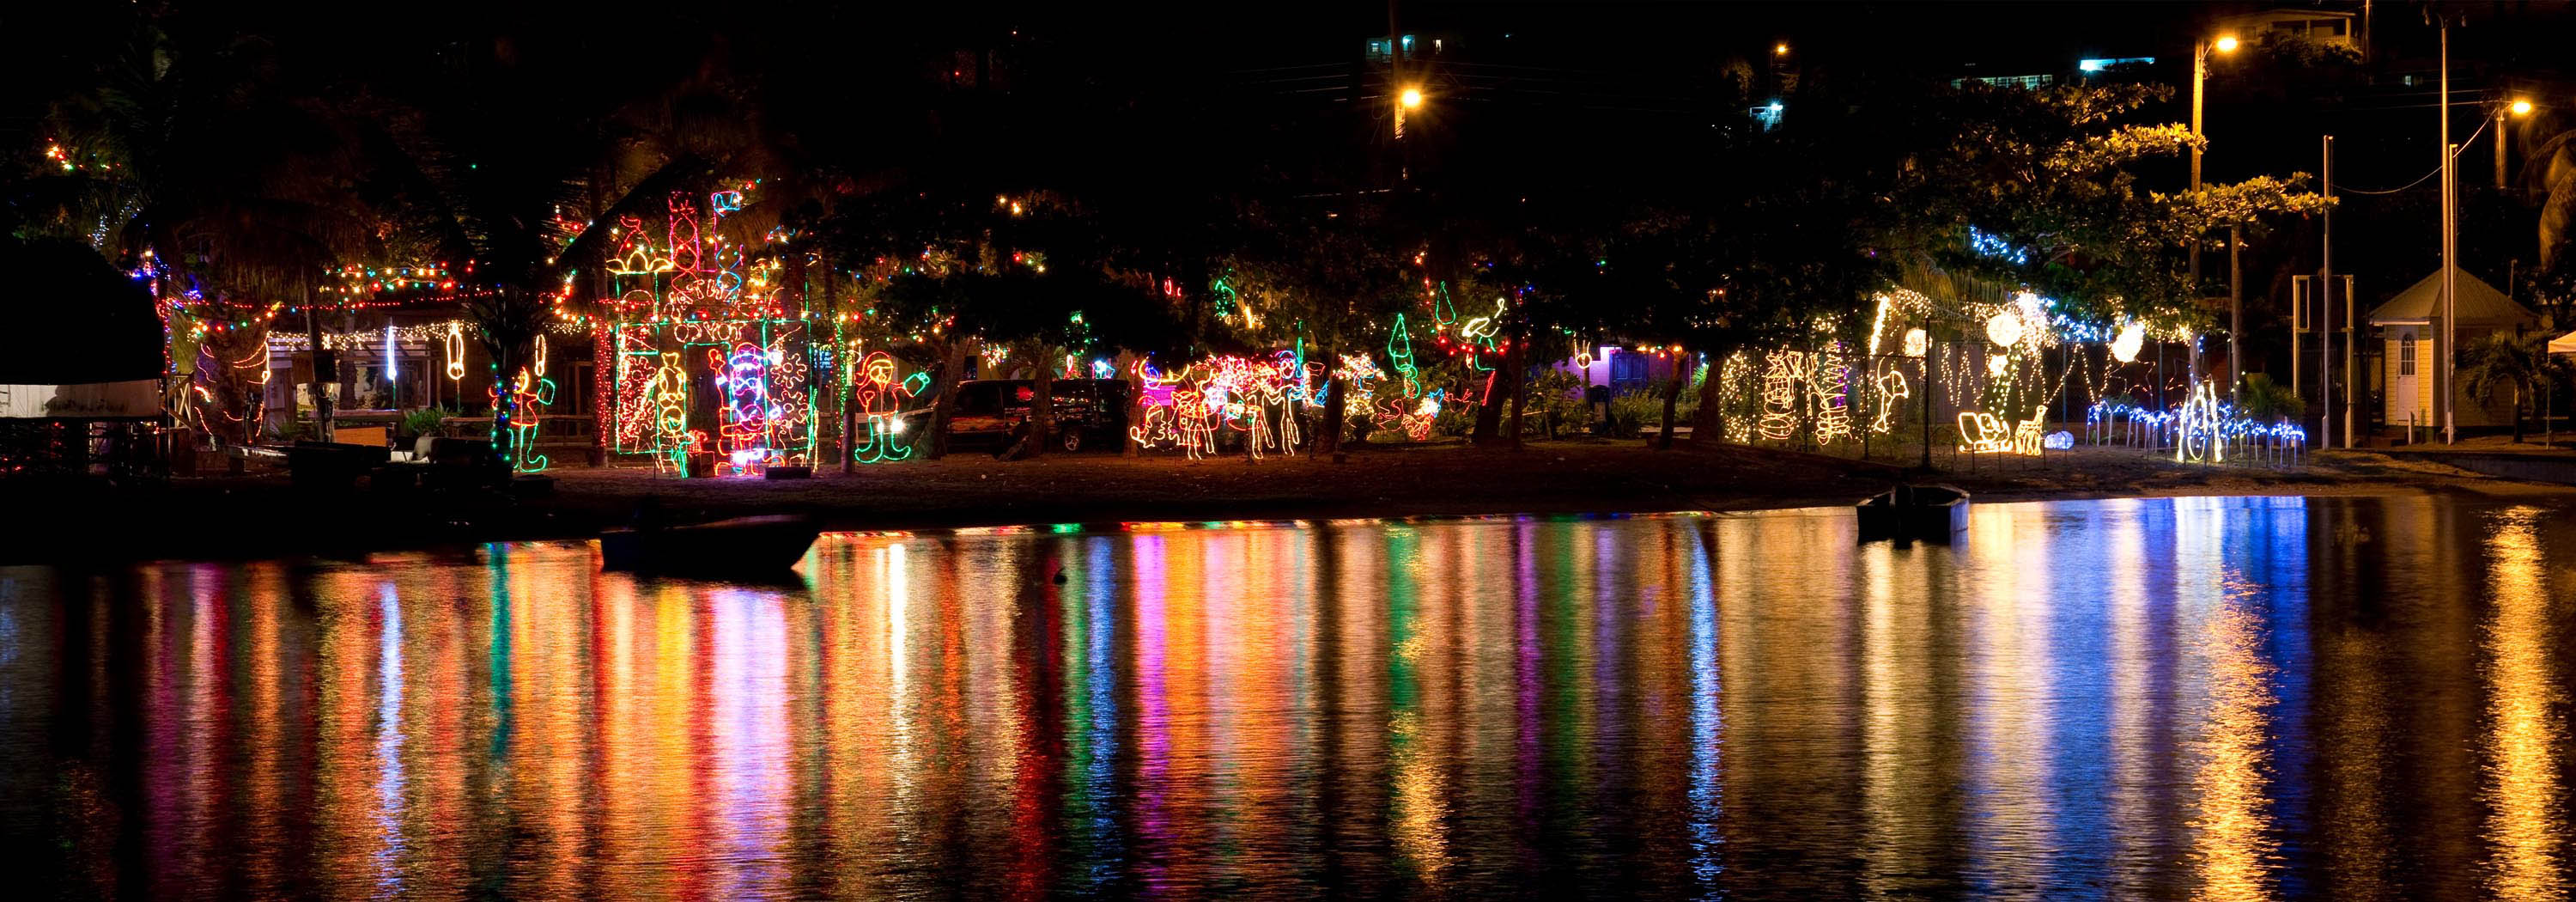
[205,158]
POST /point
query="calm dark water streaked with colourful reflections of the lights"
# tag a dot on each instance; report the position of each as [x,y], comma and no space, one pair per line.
[2356,700]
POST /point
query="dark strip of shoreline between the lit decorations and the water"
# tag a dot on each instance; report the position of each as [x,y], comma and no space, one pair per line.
[267,519]
